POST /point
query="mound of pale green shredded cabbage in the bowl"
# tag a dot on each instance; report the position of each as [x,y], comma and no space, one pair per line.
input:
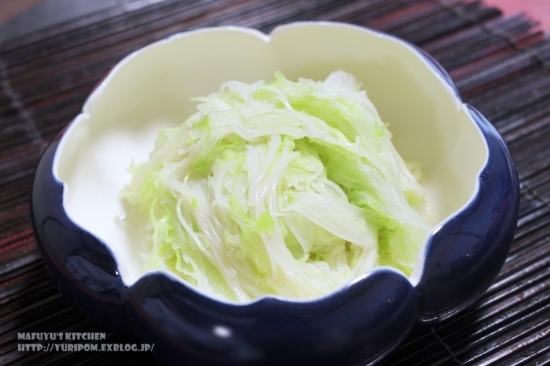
[291,189]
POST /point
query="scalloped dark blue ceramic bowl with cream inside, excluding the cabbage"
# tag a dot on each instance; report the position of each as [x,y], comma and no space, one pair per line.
[91,252]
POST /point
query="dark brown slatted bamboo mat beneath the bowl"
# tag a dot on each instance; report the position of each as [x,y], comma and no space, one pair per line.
[500,65]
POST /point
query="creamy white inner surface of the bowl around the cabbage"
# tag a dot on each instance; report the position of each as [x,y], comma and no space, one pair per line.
[152,88]
